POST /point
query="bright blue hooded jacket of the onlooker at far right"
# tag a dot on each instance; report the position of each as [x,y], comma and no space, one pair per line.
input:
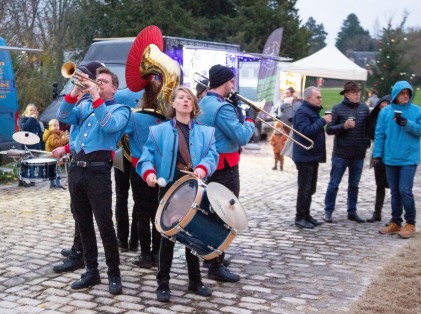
[397,145]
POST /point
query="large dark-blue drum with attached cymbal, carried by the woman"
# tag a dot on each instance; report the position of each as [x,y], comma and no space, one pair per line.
[187,214]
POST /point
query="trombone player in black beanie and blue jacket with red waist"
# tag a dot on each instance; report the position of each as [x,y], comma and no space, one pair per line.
[230,134]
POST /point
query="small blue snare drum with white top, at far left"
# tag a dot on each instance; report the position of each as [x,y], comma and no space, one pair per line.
[38,169]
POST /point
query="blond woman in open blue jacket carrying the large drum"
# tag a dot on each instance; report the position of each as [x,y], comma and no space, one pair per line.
[164,155]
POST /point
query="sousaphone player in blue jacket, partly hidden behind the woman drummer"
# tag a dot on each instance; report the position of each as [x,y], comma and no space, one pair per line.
[145,198]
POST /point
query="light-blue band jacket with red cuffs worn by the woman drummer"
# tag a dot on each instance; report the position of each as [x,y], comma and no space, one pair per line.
[160,150]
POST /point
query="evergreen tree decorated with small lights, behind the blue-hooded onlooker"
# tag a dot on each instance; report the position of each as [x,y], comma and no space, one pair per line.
[392,66]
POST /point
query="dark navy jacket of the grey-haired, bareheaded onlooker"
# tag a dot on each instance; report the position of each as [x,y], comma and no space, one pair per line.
[308,122]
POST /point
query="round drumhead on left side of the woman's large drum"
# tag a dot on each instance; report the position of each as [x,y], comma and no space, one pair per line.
[178,203]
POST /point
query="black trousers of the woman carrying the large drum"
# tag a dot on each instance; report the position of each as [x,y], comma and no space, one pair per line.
[166,251]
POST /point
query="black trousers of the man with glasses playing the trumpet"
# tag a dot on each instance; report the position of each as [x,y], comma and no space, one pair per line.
[90,191]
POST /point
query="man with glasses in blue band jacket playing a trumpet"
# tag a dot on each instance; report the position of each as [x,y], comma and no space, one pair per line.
[100,128]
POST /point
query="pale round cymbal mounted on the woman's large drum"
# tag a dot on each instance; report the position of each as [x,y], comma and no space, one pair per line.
[227,206]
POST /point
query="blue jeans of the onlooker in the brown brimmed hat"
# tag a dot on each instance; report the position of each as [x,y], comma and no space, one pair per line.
[339,165]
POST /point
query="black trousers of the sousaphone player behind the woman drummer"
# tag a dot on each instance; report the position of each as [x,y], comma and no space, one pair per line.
[145,207]
